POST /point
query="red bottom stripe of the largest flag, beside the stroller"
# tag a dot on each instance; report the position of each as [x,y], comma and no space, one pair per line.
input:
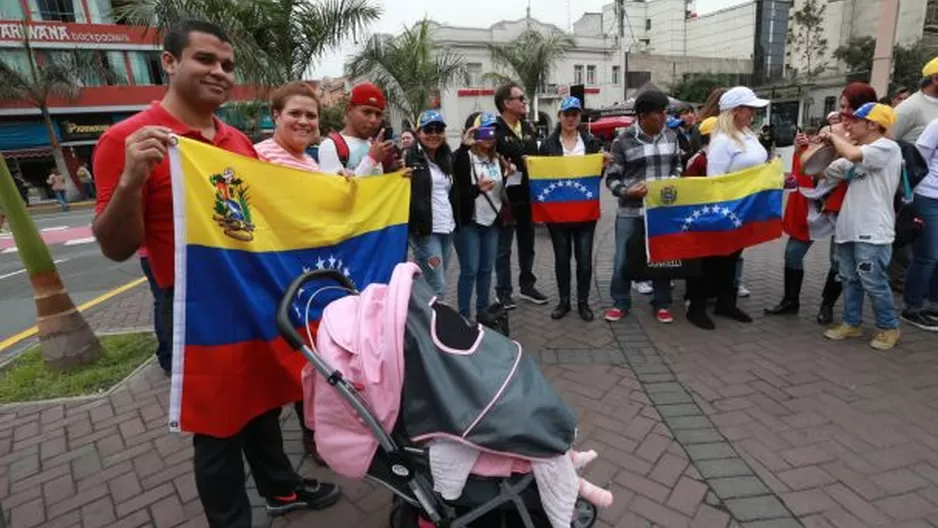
[224,387]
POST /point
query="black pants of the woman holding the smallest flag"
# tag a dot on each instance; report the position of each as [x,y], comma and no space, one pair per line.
[574,240]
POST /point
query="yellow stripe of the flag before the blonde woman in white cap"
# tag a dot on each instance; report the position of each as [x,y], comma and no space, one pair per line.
[735,186]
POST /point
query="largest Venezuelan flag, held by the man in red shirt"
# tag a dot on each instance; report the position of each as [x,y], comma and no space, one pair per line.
[244,230]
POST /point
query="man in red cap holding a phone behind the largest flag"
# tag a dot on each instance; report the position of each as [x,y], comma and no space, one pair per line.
[358,148]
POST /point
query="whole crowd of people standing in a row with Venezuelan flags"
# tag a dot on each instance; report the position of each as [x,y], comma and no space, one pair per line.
[475,200]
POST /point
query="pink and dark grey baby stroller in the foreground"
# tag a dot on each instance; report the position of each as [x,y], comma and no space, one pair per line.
[398,459]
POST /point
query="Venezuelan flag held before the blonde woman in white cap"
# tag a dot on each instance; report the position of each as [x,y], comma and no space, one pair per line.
[699,217]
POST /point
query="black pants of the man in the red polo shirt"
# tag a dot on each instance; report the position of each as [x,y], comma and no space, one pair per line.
[219,467]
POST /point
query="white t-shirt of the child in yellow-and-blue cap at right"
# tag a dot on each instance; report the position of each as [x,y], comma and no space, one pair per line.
[867,214]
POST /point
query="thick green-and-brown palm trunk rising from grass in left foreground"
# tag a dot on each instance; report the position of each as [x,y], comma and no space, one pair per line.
[64,335]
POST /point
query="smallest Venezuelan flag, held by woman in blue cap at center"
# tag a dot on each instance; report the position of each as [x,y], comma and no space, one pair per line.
[565,188]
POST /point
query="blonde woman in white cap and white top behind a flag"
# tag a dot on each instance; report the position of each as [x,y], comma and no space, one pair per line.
[733,147]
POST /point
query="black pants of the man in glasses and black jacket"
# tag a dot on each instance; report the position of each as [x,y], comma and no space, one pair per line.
[524,227]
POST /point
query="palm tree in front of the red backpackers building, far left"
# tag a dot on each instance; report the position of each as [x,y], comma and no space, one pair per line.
[59,75]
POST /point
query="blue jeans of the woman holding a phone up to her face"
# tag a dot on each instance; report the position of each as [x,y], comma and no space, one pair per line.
[476,248]
